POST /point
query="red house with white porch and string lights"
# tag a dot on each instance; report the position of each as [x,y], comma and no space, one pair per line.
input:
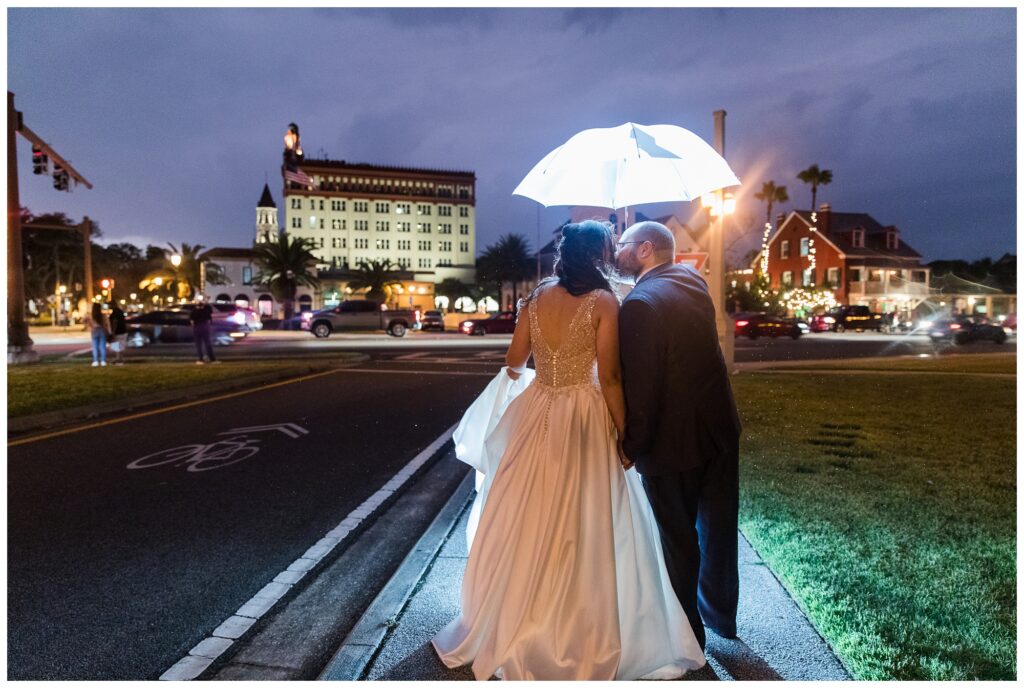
[862,262]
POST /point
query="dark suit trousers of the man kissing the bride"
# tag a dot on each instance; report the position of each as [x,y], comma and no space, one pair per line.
[697,512]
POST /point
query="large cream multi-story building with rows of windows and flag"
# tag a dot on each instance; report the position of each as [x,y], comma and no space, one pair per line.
[424,222]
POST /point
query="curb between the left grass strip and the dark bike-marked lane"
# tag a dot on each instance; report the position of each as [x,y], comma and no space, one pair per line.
[50,419]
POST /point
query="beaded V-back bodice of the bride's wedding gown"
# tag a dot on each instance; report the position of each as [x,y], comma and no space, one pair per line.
[574,363]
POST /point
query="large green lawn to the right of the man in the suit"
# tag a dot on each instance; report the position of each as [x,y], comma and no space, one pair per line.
[886,505]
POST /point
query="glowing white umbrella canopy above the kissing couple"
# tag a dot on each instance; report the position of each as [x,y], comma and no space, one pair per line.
[626,166]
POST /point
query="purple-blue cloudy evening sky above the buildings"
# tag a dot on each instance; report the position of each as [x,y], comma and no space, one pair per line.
[178,115]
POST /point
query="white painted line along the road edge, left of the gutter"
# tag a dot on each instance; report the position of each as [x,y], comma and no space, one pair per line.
[206,652]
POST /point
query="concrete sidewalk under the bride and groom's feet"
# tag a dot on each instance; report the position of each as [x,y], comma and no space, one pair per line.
[392,642]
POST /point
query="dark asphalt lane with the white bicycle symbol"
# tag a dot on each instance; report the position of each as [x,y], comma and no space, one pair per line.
[117,573]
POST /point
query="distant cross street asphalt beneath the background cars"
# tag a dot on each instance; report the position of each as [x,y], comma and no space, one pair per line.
[453,346]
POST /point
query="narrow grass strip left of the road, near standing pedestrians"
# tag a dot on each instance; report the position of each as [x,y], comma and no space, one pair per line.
[49,386]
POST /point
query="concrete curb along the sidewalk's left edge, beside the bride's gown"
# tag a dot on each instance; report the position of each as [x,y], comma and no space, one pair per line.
[361,646]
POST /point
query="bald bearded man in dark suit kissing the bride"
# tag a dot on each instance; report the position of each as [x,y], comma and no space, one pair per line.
[682,432]
